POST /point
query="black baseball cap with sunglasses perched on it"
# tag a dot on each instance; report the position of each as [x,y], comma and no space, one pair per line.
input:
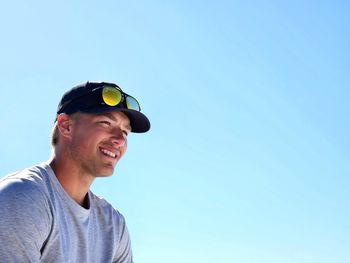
[90,97]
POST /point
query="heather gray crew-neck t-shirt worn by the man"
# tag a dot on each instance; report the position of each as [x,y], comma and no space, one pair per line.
[40,222]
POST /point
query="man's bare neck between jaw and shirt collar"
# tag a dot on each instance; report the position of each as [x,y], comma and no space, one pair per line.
[75,182]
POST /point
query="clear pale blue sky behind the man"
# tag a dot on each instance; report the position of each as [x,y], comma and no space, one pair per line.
[247,159]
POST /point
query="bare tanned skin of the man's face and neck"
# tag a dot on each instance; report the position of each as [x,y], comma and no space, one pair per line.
[80,154]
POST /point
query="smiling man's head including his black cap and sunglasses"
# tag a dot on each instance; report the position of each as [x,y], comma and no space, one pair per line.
[92,124]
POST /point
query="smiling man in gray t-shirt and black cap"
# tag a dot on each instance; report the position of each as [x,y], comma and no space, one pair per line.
[47,212]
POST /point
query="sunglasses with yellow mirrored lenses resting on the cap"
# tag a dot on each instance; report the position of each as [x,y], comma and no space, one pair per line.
[113,95]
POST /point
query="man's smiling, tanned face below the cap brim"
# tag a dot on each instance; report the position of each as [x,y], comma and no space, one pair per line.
[98,141]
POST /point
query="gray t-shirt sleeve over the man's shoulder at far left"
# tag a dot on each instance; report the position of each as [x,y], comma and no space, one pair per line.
[25,220]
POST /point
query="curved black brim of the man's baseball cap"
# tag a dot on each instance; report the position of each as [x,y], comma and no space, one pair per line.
[138,121]
